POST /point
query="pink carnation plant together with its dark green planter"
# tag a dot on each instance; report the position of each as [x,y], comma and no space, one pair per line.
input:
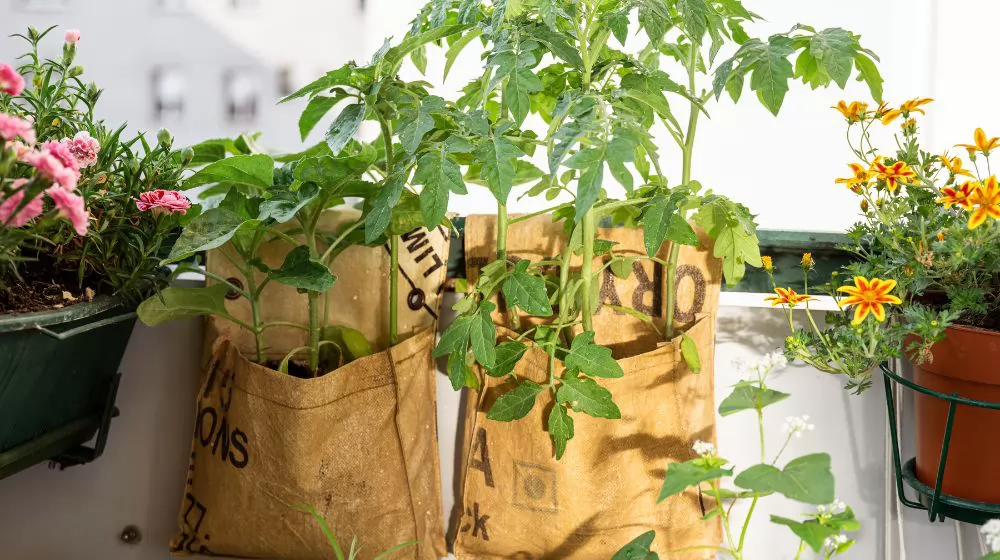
[84,214]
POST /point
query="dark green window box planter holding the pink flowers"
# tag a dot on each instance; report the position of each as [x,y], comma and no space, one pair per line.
[58,380]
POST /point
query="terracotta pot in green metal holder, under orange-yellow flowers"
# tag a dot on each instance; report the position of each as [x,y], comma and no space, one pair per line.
[967,362]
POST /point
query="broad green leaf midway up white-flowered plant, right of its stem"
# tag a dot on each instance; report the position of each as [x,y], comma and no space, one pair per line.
[807,479]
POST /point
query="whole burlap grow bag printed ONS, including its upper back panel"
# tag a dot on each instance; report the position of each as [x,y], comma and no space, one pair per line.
[358,444]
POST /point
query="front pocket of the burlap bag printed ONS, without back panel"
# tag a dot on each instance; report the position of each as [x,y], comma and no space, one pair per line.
[358,444]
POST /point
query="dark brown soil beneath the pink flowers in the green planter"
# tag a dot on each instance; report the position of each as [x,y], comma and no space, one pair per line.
[43,287]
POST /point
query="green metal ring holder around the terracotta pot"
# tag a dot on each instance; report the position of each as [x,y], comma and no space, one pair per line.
[938,506]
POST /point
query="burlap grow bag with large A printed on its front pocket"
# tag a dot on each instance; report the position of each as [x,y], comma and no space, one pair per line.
[517,501]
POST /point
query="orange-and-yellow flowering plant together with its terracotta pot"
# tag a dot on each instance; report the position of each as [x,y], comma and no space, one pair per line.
[926,286]
